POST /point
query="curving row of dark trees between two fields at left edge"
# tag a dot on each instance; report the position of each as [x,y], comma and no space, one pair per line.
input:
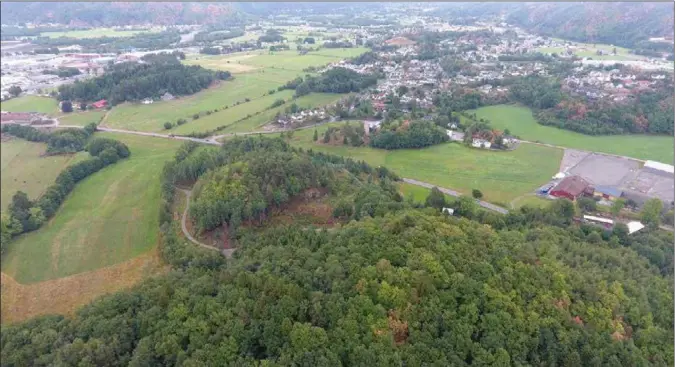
[26,215]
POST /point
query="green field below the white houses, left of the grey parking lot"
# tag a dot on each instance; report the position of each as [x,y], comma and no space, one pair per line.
[501,176]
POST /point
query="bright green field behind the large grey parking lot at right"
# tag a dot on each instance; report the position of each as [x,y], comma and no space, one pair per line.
[520,121]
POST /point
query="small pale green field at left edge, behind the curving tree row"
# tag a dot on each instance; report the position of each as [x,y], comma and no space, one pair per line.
[24,169]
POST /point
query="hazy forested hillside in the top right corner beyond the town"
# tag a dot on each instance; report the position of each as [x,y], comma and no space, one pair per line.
[621,24]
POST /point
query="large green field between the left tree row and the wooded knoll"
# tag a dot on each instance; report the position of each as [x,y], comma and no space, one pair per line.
[111,216]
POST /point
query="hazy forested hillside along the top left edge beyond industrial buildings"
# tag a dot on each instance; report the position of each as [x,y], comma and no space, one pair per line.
[119,13]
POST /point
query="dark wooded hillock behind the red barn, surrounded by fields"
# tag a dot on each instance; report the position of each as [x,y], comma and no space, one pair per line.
[132,81]
